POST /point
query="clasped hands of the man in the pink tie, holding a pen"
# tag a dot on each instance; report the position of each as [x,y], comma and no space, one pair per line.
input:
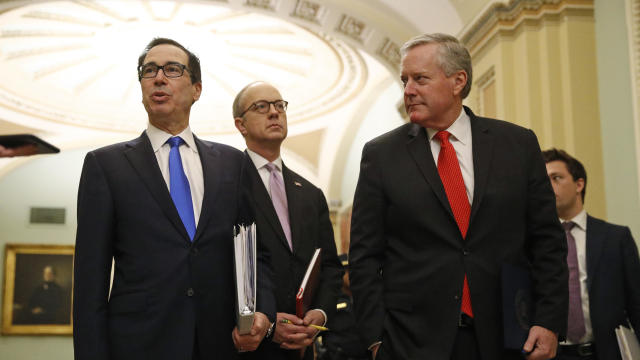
[296,335]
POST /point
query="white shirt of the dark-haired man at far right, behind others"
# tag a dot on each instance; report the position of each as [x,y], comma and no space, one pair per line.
[579,232]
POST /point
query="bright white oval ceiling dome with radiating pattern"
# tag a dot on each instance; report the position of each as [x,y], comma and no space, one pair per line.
[74,62]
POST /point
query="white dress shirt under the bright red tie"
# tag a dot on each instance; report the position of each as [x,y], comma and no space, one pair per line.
[460,138]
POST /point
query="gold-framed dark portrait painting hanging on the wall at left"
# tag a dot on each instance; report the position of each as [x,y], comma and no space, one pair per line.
[38,288]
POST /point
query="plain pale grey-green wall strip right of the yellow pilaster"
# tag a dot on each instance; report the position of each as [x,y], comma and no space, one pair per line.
[619,145]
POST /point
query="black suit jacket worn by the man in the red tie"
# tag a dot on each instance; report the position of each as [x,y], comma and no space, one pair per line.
[408,258]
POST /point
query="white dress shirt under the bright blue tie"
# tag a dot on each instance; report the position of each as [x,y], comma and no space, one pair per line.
[190,162]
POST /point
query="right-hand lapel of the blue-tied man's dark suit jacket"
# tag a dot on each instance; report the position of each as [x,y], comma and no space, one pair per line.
[211,161]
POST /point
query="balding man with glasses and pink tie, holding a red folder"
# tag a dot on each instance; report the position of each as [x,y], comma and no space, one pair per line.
[292,219]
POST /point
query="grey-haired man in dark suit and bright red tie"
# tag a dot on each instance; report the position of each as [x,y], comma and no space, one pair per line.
[441,204]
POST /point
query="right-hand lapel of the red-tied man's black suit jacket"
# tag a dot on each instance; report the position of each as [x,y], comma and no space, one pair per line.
[482,148]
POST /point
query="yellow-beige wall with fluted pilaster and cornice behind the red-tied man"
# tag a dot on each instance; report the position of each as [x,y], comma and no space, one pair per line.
[537,70]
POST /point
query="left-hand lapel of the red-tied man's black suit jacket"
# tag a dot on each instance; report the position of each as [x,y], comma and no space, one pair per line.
[418,147]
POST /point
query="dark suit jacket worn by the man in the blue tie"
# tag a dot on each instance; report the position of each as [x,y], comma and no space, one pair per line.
[168,292]
